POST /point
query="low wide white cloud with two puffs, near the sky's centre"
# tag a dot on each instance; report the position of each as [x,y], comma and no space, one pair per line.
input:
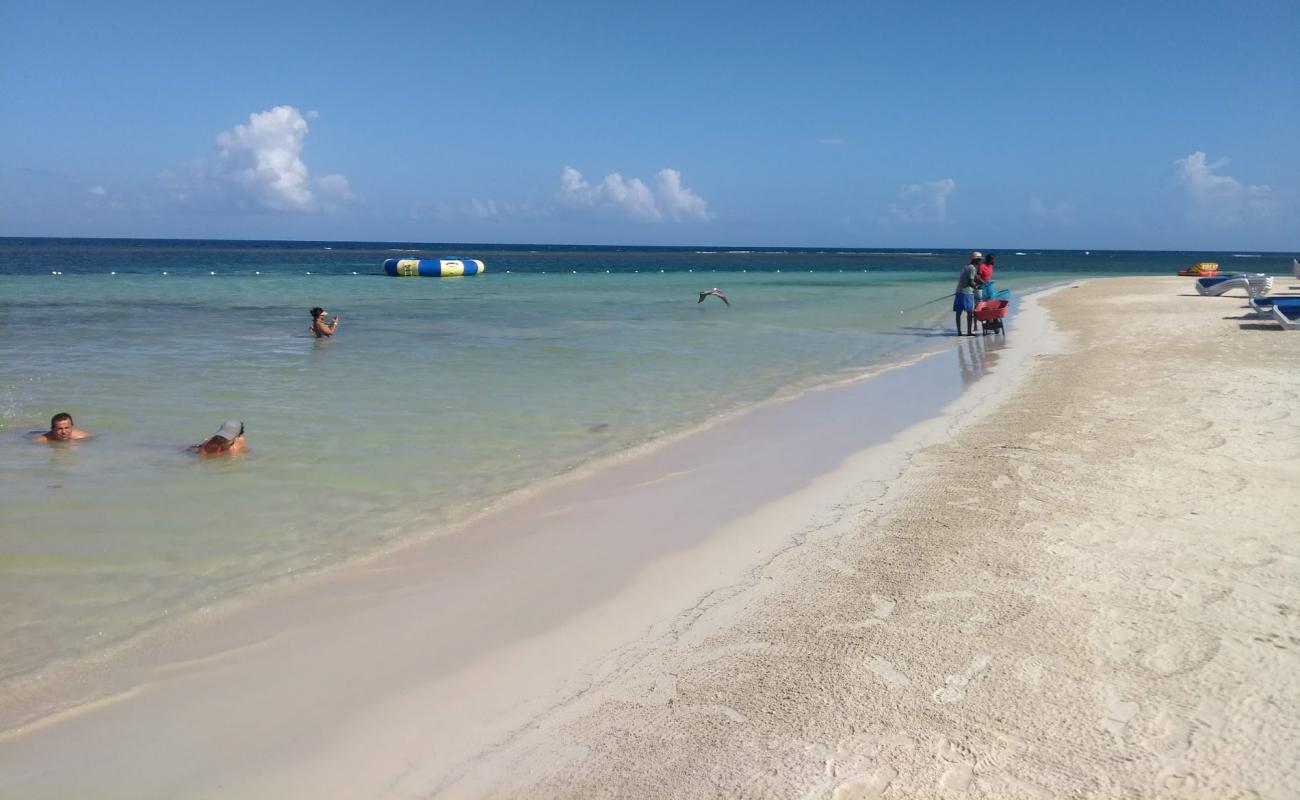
[669,200]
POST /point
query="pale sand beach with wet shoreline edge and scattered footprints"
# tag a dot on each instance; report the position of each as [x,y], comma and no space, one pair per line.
[1081,578]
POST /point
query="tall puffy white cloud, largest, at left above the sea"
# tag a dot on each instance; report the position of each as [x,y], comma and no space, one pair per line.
[261,166]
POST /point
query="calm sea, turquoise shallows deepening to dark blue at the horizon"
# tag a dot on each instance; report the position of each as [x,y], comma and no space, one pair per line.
[437,397]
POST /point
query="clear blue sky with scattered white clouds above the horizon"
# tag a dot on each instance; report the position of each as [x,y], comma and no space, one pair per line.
[1143,126]
